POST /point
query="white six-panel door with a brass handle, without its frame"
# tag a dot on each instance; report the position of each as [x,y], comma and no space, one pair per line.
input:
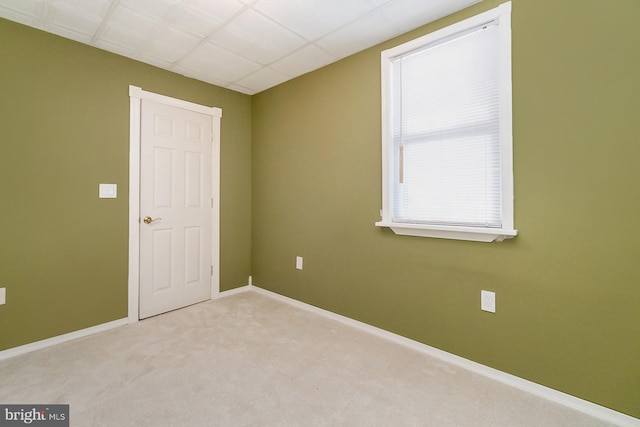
[175,208]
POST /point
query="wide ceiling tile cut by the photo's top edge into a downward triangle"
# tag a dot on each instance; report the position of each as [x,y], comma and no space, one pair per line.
[313,19]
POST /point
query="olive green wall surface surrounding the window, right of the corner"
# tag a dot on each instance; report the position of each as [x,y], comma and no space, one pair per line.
[567,288]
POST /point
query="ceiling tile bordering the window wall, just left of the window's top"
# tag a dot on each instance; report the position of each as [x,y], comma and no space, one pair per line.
[364,33]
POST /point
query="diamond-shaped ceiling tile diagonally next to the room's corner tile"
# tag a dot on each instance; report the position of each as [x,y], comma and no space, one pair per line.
[258,38]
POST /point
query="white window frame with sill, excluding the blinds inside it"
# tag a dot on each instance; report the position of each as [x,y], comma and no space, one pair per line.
[501,14]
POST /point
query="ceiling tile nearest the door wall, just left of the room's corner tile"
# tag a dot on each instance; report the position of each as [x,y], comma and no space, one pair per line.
[210,59]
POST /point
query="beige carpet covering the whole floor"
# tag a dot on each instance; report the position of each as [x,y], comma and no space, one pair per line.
[250,360]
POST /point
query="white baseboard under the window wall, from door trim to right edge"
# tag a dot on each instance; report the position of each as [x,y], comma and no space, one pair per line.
[556,396]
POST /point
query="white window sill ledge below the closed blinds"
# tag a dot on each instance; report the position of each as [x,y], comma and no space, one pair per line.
[475,234]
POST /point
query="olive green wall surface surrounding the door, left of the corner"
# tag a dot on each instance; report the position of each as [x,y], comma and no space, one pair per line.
[64,128]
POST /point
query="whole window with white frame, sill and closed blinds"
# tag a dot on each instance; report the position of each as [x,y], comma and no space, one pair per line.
[446,132]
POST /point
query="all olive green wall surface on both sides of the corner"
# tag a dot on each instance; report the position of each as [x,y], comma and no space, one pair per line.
[301,176]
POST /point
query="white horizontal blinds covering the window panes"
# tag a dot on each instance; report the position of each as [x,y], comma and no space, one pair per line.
[446,131]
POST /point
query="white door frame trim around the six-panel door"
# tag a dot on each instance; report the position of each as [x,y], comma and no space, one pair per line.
[136,95]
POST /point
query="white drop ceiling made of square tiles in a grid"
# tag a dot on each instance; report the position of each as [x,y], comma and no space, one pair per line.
[243,45]
